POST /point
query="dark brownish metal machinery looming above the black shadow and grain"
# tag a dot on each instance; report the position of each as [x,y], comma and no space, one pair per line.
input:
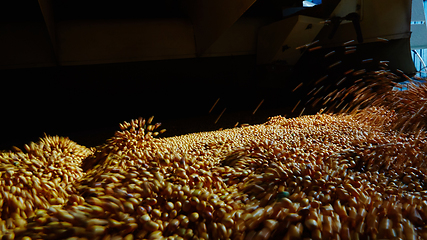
[67,32]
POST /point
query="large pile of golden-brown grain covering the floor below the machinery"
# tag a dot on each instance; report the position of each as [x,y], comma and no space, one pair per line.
[321,176]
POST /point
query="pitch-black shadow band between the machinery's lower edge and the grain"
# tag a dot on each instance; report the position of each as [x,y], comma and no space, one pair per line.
[87,103]
